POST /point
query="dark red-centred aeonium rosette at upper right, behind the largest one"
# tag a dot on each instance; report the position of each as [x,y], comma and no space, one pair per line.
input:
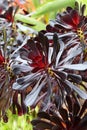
[70,23]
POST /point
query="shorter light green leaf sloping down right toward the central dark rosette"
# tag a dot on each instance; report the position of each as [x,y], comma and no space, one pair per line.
[37,25]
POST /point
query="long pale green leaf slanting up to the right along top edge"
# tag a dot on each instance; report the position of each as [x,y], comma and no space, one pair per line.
[52,6]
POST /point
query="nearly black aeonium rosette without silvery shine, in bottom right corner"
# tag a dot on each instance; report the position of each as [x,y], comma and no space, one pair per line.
[71,116]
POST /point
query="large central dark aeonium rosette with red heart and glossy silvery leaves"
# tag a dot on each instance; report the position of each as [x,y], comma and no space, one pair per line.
[49,74]
